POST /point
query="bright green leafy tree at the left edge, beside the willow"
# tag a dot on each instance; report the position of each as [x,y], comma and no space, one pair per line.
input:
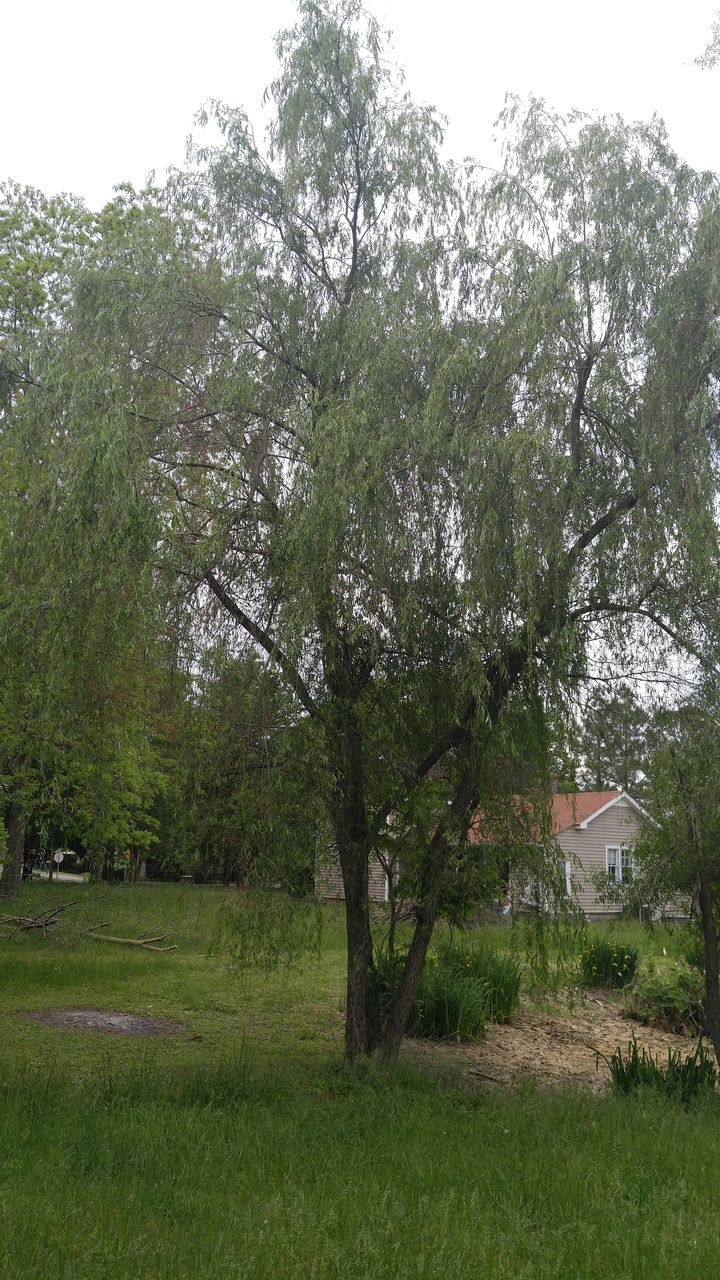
[75,751]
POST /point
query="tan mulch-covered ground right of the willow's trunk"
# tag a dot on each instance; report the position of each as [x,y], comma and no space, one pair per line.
[559,1050]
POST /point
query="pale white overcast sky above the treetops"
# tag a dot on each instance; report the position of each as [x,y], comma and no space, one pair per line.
[95,94]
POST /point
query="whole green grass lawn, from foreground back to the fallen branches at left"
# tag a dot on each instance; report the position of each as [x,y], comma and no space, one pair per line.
[243,1148]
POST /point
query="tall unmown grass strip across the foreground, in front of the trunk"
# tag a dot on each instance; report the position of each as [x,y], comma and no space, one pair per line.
[226,1172]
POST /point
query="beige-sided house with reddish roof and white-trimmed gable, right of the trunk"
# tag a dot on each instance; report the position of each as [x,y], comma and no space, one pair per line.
[595,833]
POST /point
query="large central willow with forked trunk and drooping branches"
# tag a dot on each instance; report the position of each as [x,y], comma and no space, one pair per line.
[421,437]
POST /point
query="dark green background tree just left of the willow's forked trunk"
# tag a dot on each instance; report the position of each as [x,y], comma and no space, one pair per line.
[244,808]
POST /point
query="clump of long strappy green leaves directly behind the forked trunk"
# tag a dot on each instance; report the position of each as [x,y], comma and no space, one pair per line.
[461,990]
